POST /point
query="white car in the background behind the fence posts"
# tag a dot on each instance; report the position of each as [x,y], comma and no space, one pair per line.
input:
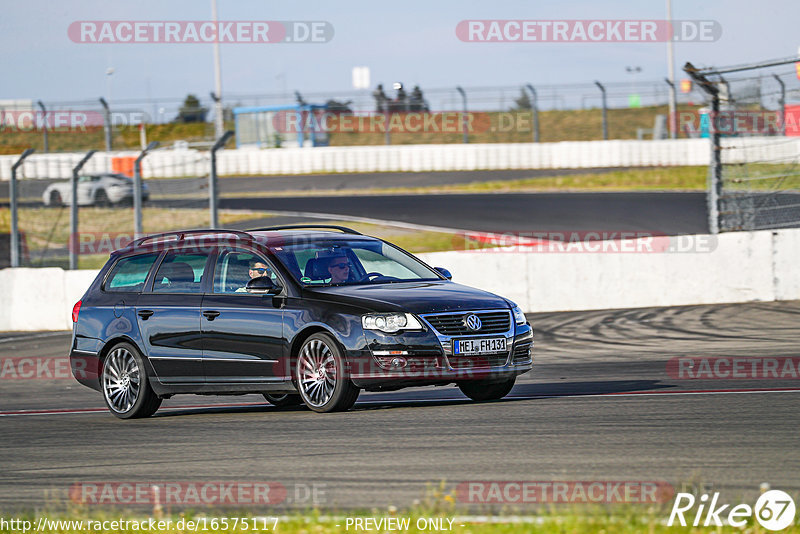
[94,190]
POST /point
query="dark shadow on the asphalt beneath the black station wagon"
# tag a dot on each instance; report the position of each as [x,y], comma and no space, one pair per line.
[421,398]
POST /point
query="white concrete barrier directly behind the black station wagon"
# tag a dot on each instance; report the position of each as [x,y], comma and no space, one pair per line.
[732,267]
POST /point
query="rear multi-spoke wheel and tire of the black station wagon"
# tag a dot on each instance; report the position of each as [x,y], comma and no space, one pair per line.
[125,385]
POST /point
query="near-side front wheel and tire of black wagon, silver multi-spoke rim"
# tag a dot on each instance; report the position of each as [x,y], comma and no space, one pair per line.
[322,375]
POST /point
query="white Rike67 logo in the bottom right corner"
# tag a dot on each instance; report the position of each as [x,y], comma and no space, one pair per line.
[774,510]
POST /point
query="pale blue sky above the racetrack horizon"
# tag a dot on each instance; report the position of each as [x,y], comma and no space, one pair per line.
[413,41]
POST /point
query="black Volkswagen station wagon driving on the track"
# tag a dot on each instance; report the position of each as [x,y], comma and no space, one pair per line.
[300,314]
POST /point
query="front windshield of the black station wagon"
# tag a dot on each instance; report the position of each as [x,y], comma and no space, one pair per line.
[350,262]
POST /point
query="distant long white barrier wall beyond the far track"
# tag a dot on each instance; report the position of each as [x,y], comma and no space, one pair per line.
[420,158]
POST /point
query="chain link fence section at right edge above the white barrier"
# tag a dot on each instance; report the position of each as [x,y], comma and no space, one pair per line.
[754,177]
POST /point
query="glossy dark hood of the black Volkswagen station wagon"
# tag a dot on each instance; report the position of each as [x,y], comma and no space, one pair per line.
[414,297]
